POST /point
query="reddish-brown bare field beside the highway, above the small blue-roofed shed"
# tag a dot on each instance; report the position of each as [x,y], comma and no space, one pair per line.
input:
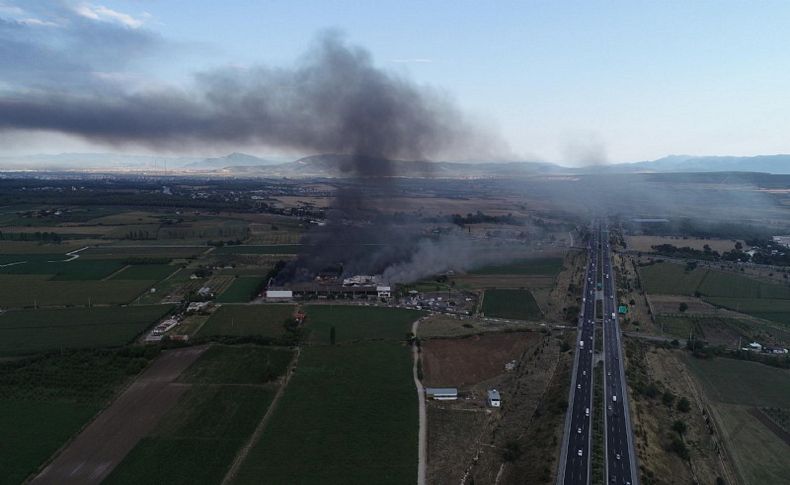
[467,361]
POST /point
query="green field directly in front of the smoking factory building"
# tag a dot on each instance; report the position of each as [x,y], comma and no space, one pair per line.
[354,323]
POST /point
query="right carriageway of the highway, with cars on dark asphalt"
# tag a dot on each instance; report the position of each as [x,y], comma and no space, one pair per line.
[620,458]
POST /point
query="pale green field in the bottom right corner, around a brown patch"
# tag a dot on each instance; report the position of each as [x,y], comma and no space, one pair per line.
[737,388]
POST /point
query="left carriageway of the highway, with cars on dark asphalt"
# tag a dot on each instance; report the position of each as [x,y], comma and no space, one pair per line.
[574,466]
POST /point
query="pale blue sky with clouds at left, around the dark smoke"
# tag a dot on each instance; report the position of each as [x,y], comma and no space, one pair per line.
[567,82]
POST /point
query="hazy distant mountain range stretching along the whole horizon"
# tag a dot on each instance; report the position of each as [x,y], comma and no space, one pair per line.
[328,165]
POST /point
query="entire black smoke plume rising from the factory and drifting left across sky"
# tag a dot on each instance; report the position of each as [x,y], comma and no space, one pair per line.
[335,100]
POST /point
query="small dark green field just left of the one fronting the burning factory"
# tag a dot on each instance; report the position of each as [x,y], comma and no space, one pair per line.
[248,320]
